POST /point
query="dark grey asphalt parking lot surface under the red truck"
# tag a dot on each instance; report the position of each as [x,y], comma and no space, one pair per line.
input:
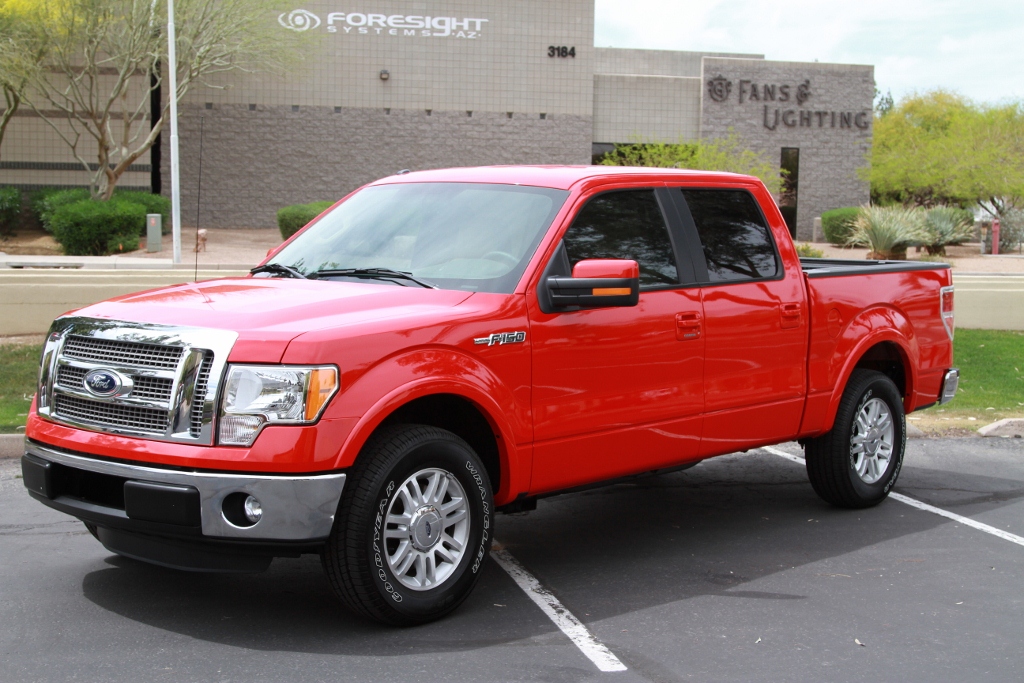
[733,571]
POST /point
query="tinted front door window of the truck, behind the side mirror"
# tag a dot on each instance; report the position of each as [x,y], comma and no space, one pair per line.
[625,225]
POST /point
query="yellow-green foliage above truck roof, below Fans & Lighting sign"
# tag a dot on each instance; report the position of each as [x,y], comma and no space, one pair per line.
[724,154]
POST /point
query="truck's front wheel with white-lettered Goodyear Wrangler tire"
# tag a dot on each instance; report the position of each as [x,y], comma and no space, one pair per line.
[399,476]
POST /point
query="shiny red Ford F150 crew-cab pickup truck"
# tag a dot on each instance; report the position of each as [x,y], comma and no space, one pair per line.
[443,346]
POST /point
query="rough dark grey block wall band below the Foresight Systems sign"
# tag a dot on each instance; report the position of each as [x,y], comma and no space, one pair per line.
[255,162]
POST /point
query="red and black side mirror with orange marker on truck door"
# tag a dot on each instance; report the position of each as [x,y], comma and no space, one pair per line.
[596,284]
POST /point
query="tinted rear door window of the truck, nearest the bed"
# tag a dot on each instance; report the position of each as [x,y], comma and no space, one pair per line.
[737,242]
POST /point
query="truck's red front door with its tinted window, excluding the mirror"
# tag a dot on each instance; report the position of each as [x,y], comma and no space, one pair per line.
[619,391]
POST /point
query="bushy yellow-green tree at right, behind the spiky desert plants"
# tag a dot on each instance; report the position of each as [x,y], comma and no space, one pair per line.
[943,149]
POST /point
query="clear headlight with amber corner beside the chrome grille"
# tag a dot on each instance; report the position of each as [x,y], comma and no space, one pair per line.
[255,396]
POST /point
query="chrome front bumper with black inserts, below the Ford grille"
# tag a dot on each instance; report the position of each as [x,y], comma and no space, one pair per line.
[186,505]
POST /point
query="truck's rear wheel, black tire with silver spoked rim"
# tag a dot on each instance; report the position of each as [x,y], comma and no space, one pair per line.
[857,464]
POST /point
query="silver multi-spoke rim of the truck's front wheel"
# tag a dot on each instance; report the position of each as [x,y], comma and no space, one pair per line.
[428,530]
